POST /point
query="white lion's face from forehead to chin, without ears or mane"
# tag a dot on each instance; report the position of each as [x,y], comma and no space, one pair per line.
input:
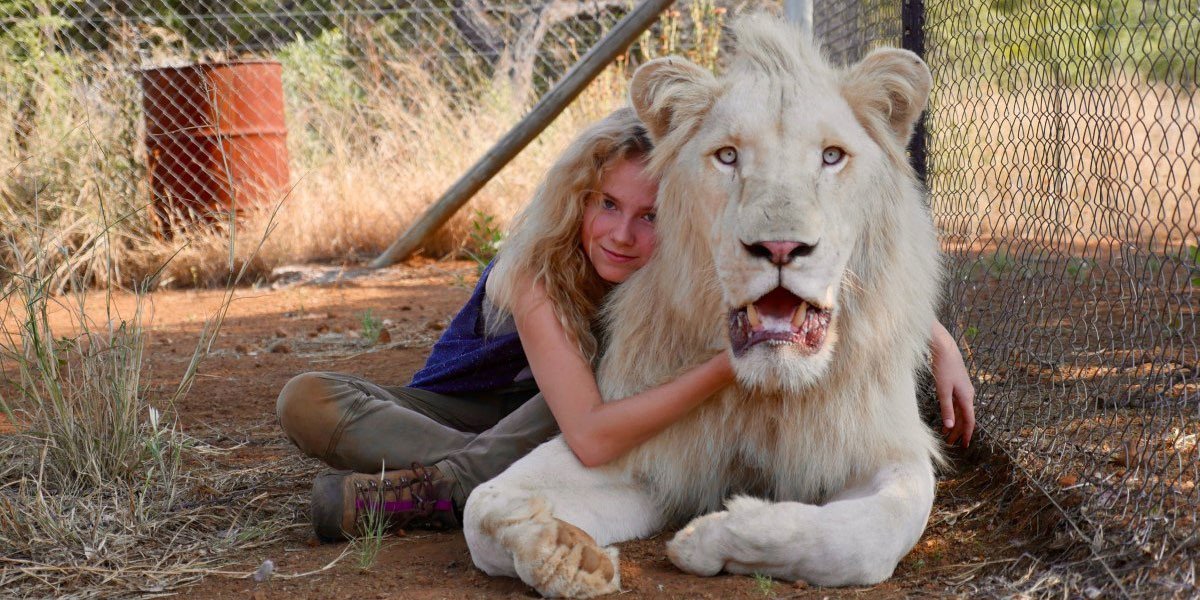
[788,179]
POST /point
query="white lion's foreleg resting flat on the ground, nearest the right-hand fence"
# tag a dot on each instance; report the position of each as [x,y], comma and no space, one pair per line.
[855,539]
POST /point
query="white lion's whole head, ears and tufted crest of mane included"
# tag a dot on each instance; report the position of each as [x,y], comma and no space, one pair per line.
[795,163]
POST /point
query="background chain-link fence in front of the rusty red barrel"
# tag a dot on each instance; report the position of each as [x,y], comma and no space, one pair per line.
[355,115]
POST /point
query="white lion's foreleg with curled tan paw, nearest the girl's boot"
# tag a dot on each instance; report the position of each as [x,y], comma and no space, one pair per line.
[548,520]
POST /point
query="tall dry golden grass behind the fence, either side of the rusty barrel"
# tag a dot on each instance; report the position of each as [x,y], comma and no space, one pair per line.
[368,157]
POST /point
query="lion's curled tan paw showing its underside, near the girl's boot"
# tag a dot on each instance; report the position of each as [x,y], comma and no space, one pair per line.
[568,563]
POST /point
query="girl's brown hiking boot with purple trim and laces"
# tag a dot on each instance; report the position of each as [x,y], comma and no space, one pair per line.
[344,502]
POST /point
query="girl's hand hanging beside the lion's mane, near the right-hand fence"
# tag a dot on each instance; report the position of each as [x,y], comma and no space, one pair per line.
[956,394]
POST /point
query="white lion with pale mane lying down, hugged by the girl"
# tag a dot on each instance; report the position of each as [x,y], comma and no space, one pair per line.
[791,230]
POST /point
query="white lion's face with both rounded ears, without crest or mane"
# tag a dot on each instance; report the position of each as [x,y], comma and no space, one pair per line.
[788,171]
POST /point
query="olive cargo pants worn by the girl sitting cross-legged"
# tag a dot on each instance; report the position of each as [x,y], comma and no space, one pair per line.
[353,424]
